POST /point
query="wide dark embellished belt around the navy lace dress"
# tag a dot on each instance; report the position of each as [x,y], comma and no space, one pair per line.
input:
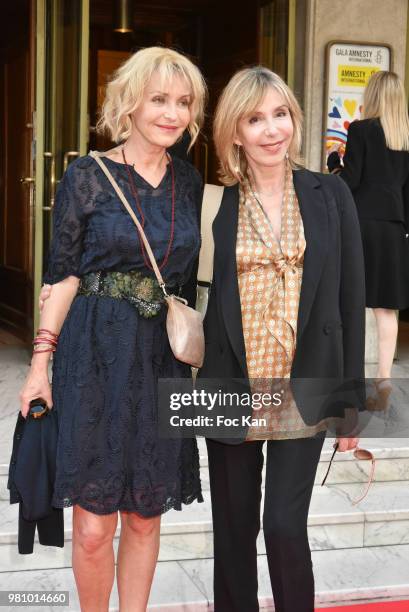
[142,292]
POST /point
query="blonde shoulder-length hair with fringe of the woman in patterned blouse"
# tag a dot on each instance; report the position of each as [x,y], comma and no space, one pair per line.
[241,97]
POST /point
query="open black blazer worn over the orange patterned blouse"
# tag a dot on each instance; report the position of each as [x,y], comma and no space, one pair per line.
[331,318]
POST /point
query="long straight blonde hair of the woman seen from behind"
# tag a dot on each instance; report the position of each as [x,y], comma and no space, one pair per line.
[385,98]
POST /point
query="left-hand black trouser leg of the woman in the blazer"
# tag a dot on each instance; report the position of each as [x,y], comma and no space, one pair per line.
[235,486]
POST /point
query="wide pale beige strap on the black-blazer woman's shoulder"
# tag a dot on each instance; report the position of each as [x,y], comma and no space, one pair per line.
[212,199]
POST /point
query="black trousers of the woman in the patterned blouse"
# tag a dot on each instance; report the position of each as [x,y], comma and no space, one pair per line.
[235,485]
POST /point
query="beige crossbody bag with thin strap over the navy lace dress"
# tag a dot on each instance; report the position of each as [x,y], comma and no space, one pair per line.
[184,325]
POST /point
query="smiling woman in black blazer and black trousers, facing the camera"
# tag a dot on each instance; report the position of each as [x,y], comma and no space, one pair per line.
[257,135]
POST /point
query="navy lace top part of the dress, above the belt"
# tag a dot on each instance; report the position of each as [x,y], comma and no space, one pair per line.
[93,231]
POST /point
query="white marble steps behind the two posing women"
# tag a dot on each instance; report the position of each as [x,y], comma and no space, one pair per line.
[359,551]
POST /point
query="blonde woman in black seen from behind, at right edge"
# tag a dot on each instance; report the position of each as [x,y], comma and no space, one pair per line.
[376,169]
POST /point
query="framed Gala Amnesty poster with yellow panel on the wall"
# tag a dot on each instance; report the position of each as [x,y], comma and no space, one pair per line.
[349,66]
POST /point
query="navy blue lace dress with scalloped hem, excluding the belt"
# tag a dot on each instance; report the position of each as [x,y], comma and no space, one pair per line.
[109,357]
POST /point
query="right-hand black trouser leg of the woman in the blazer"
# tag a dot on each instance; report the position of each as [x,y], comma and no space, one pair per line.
[290,473]
